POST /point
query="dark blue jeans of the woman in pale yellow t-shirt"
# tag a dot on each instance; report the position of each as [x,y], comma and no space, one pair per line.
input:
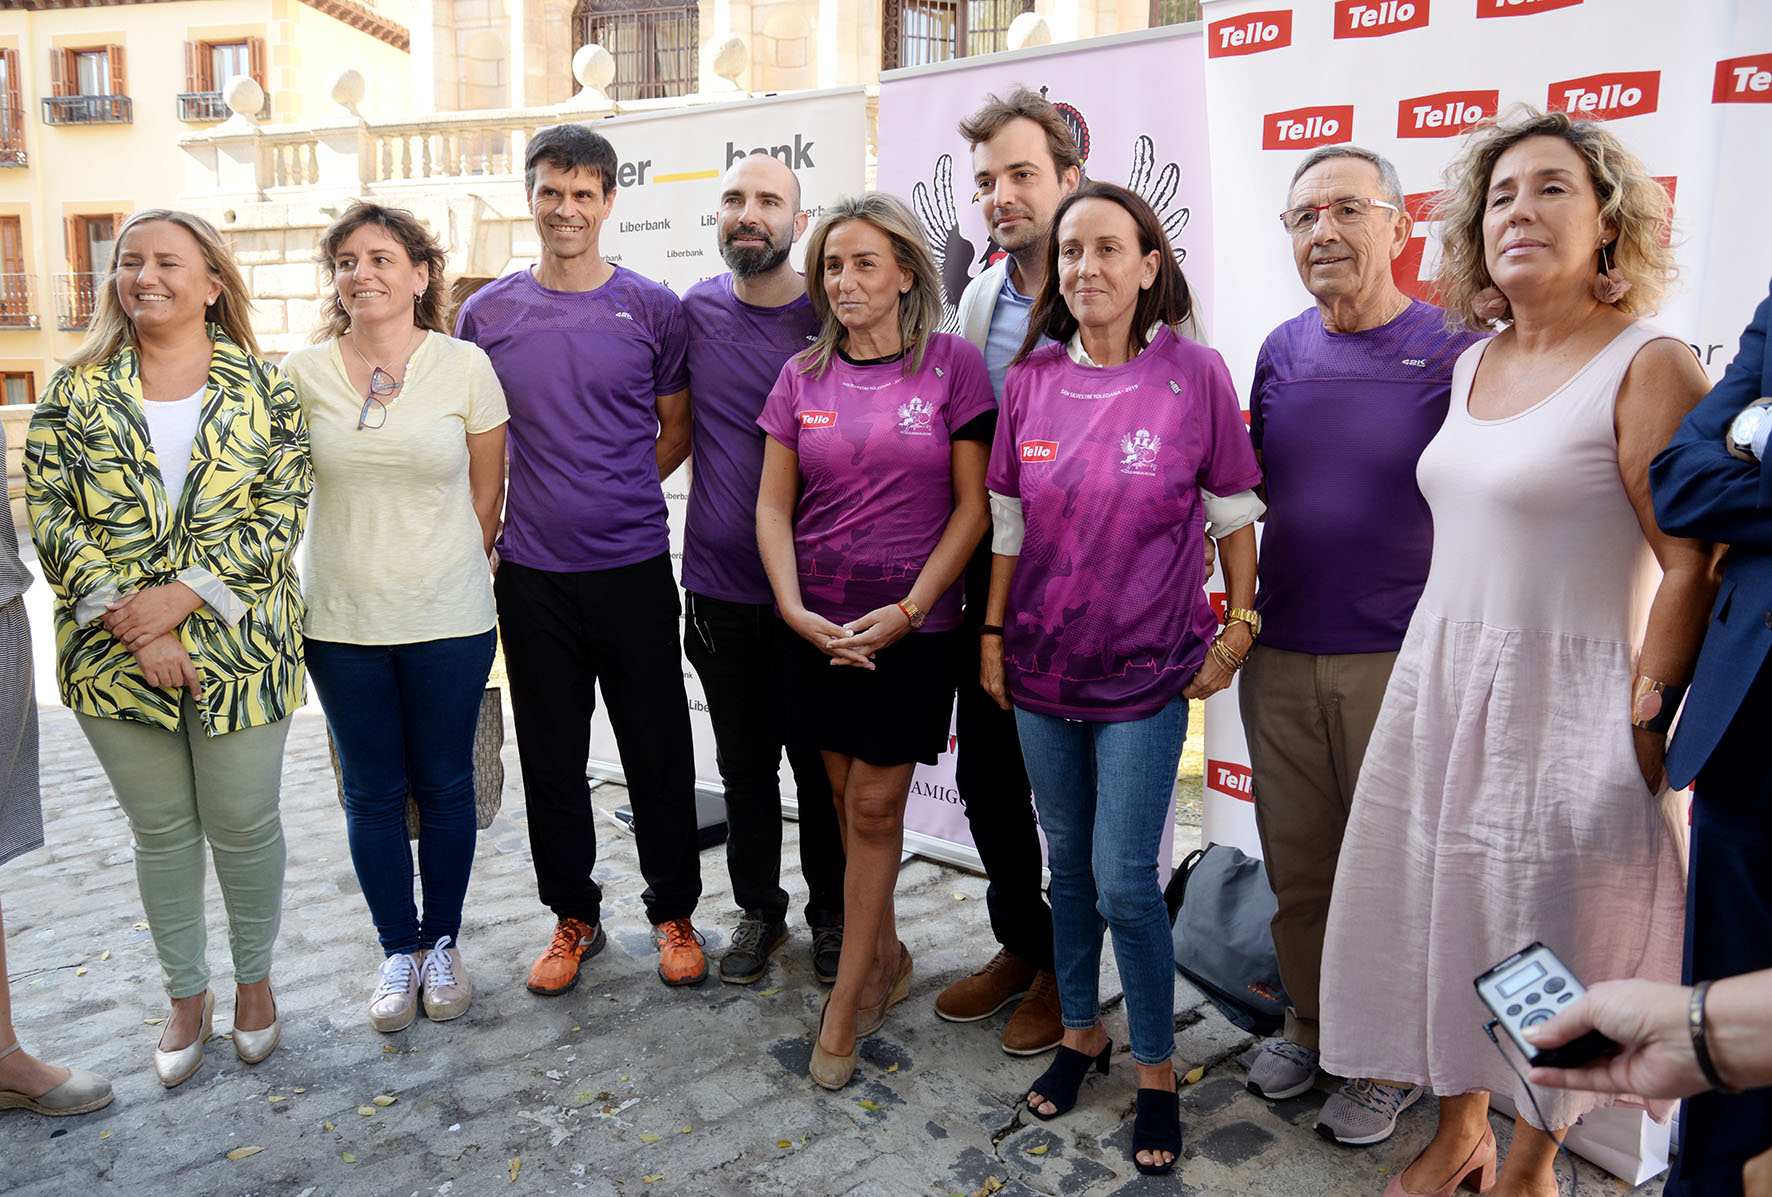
[405,716]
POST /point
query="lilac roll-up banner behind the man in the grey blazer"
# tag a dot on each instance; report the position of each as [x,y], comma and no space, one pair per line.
[1139,107]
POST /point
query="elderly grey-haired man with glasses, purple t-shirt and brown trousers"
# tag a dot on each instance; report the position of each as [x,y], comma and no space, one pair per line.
[1346,398]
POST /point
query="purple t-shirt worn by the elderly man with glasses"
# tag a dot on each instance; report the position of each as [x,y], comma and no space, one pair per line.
[1341,421]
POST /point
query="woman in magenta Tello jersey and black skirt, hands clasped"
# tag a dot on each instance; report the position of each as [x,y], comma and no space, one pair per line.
[873,498]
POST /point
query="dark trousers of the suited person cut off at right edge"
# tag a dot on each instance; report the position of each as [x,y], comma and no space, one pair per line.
[1729,931]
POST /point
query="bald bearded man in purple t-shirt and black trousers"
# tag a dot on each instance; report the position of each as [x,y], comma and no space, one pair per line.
[743,327]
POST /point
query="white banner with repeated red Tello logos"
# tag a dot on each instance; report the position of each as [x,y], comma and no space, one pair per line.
[1686,88]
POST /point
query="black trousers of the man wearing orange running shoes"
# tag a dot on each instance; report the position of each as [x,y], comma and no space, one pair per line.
[564,635]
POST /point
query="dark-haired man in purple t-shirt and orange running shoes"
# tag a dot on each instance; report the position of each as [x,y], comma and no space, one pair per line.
[593,364]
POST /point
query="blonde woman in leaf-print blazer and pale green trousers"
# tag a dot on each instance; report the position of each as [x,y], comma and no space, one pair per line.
[167,477]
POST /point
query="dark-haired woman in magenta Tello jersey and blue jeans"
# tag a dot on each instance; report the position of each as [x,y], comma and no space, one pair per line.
[1112,428]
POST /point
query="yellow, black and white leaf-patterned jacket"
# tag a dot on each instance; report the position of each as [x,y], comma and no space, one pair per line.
[104,527]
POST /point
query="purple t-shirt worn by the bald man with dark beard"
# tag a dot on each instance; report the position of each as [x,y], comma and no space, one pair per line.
[736,353]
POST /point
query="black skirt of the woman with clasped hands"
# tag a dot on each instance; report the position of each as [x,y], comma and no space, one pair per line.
[892,714]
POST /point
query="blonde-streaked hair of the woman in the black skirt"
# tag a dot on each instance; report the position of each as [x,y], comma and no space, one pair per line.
[919,309]
